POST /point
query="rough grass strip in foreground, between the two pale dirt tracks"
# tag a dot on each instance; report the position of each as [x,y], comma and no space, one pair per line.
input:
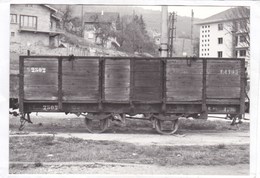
[39,149]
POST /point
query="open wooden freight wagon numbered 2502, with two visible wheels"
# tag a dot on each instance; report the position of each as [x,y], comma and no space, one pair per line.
[109,88]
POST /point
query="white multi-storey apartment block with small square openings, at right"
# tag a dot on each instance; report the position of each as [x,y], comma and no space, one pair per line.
[226,34]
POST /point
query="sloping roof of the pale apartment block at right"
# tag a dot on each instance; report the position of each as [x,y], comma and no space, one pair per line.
[227,15]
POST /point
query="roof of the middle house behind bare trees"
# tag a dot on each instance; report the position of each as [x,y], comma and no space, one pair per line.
[101,17]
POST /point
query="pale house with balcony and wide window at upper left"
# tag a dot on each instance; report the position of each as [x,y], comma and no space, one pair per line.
[33,25]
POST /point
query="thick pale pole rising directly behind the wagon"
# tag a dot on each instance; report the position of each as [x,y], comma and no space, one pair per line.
[164,32]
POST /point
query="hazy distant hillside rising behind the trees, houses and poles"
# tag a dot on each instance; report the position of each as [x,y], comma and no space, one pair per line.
[152,18]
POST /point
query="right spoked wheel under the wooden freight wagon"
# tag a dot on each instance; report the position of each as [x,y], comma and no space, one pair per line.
[166,127]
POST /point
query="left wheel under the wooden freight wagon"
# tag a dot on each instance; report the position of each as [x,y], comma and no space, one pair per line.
[96,125]
